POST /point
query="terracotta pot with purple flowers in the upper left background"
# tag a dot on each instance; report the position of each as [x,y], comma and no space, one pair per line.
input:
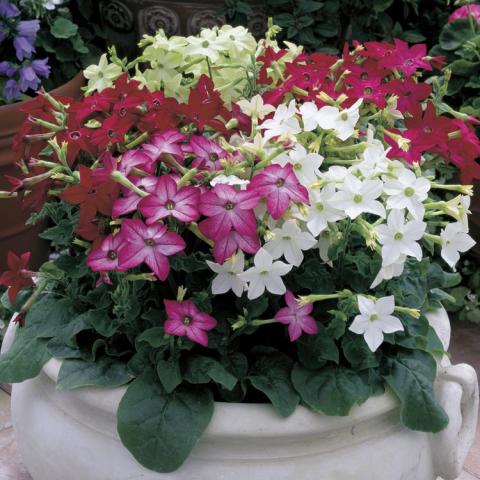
[42,44]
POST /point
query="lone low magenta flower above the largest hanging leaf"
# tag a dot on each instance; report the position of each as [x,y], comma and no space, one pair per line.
[184,319]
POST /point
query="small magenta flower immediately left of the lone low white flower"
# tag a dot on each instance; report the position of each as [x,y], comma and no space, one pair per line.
[297,318]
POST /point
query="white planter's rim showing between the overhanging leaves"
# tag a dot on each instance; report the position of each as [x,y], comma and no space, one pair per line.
[263,422]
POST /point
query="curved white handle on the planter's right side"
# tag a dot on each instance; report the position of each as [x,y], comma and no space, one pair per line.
[457,391]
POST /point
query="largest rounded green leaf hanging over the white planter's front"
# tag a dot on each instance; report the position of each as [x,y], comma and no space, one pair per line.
[160,429]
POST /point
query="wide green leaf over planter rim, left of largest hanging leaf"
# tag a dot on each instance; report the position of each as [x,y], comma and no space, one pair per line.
[103,372]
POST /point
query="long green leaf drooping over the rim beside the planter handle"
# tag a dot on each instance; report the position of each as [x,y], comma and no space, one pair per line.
[411,375]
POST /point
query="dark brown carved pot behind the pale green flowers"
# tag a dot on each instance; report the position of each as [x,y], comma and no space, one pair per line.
[125,21]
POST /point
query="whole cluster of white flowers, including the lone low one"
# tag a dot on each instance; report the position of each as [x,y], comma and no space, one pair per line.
[387,201]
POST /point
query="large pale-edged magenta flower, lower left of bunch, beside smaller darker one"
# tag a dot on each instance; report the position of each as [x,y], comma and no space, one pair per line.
[150,244]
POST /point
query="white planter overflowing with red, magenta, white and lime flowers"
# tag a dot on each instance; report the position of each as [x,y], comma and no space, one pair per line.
[247,280]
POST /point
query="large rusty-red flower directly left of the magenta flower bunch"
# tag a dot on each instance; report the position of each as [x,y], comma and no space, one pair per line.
[91,194]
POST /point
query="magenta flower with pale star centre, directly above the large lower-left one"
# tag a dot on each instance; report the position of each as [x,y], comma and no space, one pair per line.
[167,200]
